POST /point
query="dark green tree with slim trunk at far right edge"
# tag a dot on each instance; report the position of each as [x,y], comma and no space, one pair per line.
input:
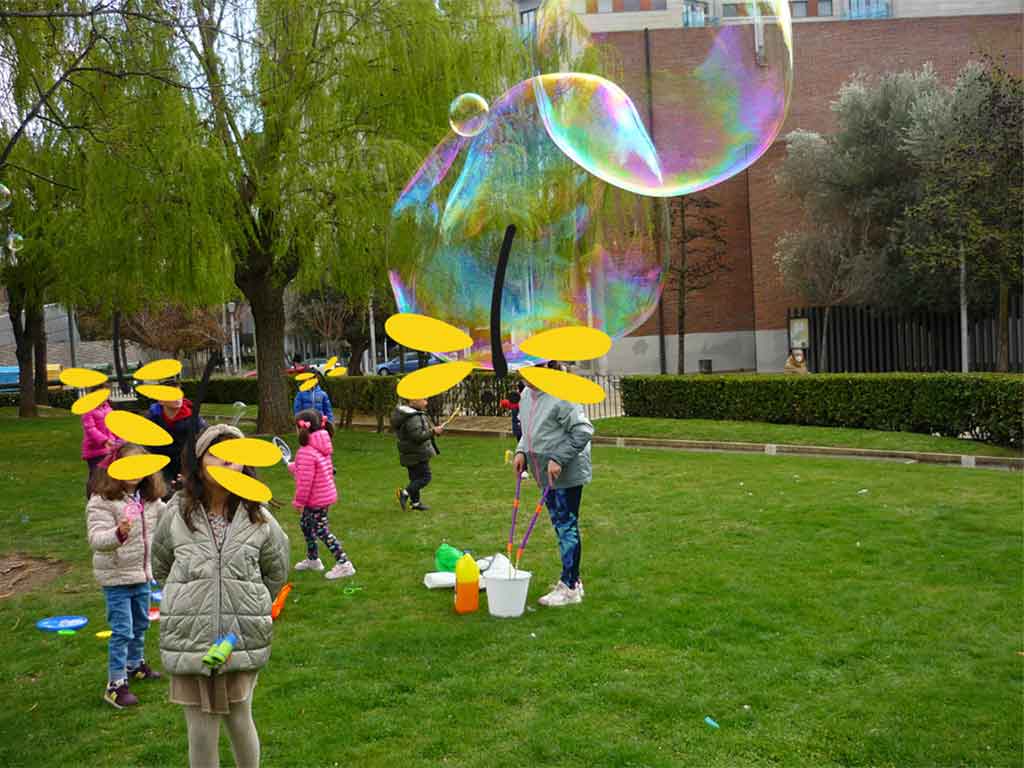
[967,144]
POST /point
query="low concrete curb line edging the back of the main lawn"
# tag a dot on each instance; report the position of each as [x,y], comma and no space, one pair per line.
[770,449]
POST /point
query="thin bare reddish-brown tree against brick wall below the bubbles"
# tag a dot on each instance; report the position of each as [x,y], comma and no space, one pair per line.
[702,257]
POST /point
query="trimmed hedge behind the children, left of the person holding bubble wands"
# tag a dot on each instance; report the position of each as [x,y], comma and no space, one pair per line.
[480,395]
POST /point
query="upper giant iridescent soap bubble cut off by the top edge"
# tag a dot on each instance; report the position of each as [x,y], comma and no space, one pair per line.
[720,97]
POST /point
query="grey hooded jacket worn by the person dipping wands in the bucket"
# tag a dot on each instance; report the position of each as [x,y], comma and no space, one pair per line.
[554,430]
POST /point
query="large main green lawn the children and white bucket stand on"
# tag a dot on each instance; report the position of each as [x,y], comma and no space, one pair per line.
[819,625]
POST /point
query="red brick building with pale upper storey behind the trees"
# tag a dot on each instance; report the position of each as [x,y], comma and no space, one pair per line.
[741,322]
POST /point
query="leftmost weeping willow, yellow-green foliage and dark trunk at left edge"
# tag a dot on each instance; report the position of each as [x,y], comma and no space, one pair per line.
[89,92]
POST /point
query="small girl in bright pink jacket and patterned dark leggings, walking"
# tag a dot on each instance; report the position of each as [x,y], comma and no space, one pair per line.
[315,492]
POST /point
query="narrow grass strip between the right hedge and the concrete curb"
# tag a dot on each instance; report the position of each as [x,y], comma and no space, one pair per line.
[746,432]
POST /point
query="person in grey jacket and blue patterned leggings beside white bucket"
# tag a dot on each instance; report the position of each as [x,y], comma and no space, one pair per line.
[556,448]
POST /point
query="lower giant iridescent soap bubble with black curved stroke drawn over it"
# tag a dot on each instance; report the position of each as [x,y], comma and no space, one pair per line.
[585,252]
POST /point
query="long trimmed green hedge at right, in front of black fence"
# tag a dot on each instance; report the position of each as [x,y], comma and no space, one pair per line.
[990,407]
